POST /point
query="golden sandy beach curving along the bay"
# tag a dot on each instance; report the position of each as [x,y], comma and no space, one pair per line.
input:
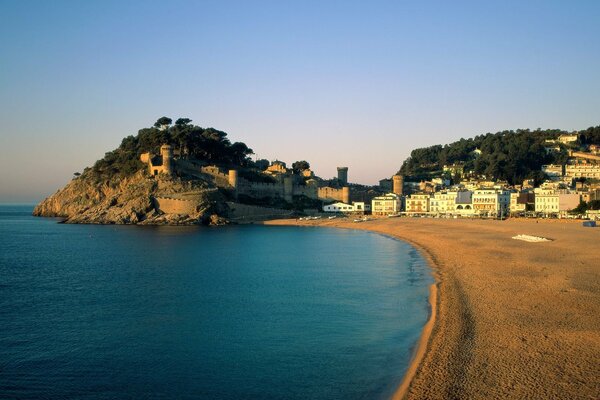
[513,319]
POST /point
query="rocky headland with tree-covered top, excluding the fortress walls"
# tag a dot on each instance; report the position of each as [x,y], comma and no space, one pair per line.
[118,188]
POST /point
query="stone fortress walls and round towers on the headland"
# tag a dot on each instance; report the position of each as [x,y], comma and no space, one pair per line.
[286,184]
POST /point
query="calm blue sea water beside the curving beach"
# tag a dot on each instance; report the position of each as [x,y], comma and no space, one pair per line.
[243,312]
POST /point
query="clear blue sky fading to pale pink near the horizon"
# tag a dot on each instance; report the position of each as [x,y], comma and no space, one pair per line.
[336,83]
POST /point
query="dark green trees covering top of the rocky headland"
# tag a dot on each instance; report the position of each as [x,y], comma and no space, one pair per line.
[204,144]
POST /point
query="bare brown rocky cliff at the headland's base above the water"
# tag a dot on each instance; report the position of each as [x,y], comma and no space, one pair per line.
[133,200]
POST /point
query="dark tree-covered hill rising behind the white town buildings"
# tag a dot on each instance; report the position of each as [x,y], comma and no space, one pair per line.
[508,155]
